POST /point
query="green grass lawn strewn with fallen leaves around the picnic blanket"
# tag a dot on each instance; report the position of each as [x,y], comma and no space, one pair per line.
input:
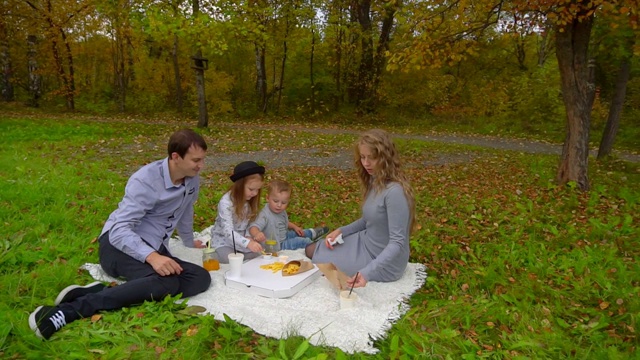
[518,267]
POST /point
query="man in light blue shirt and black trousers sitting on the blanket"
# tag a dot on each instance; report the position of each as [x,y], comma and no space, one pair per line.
[158,199]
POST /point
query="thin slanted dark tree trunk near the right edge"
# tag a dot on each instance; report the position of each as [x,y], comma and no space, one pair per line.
[613,121]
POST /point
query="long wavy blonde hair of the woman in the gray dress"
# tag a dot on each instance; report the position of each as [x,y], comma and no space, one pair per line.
[388,168]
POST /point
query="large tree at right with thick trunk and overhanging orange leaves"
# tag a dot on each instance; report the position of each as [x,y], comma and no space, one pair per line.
[445,32]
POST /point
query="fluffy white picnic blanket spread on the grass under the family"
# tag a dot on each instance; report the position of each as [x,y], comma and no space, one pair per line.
[314,312]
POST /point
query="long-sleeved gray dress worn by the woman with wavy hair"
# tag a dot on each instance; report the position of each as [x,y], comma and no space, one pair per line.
[377,244]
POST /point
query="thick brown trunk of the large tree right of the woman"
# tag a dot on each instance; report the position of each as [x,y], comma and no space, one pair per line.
[572,45]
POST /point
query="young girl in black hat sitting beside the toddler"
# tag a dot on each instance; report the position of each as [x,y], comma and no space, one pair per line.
[236,209]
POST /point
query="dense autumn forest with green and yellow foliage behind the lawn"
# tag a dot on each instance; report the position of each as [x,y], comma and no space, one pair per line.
[484,66]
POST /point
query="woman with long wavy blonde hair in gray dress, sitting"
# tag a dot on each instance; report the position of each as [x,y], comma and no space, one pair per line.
[376,246]
